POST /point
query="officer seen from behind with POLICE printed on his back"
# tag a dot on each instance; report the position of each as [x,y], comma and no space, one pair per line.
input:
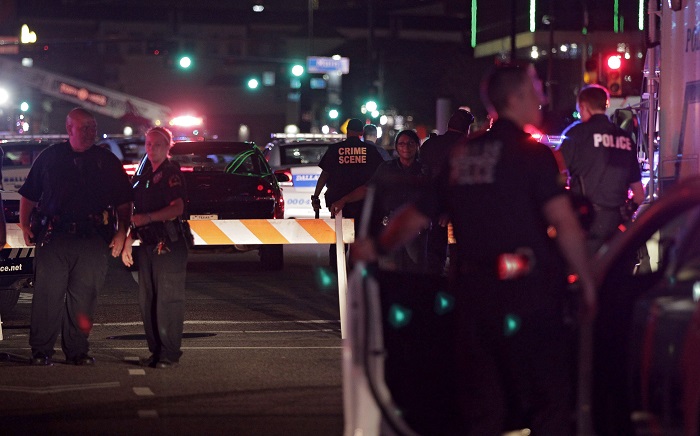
[601,159]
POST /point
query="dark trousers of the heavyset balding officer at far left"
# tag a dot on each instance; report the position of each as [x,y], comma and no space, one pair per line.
[69,271]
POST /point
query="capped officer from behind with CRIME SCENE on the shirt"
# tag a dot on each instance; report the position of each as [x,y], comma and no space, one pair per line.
[346,166]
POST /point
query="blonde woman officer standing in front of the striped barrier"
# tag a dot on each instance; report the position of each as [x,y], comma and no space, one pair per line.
[159,202]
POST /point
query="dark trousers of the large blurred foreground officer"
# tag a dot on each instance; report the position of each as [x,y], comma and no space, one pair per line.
[512,348]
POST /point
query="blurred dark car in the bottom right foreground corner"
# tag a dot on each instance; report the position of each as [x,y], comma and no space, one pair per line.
[651,310]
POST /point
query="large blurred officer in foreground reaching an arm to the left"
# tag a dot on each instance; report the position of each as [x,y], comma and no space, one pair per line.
[503,191]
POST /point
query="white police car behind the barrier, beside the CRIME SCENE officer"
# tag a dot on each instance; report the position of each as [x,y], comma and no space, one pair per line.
[297,156]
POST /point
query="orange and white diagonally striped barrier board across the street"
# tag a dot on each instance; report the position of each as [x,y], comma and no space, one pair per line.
[241,232]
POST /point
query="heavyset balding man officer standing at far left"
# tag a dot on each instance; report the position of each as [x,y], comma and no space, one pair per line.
[69,192]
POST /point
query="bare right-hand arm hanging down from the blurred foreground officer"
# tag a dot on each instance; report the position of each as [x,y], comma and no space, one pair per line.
[572,242]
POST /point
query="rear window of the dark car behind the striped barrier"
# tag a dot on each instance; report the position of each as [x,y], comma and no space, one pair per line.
[246,162]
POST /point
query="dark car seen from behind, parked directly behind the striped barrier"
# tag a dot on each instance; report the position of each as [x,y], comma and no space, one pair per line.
[230,181]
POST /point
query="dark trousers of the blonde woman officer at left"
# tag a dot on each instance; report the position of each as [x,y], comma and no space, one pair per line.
[163,315]
